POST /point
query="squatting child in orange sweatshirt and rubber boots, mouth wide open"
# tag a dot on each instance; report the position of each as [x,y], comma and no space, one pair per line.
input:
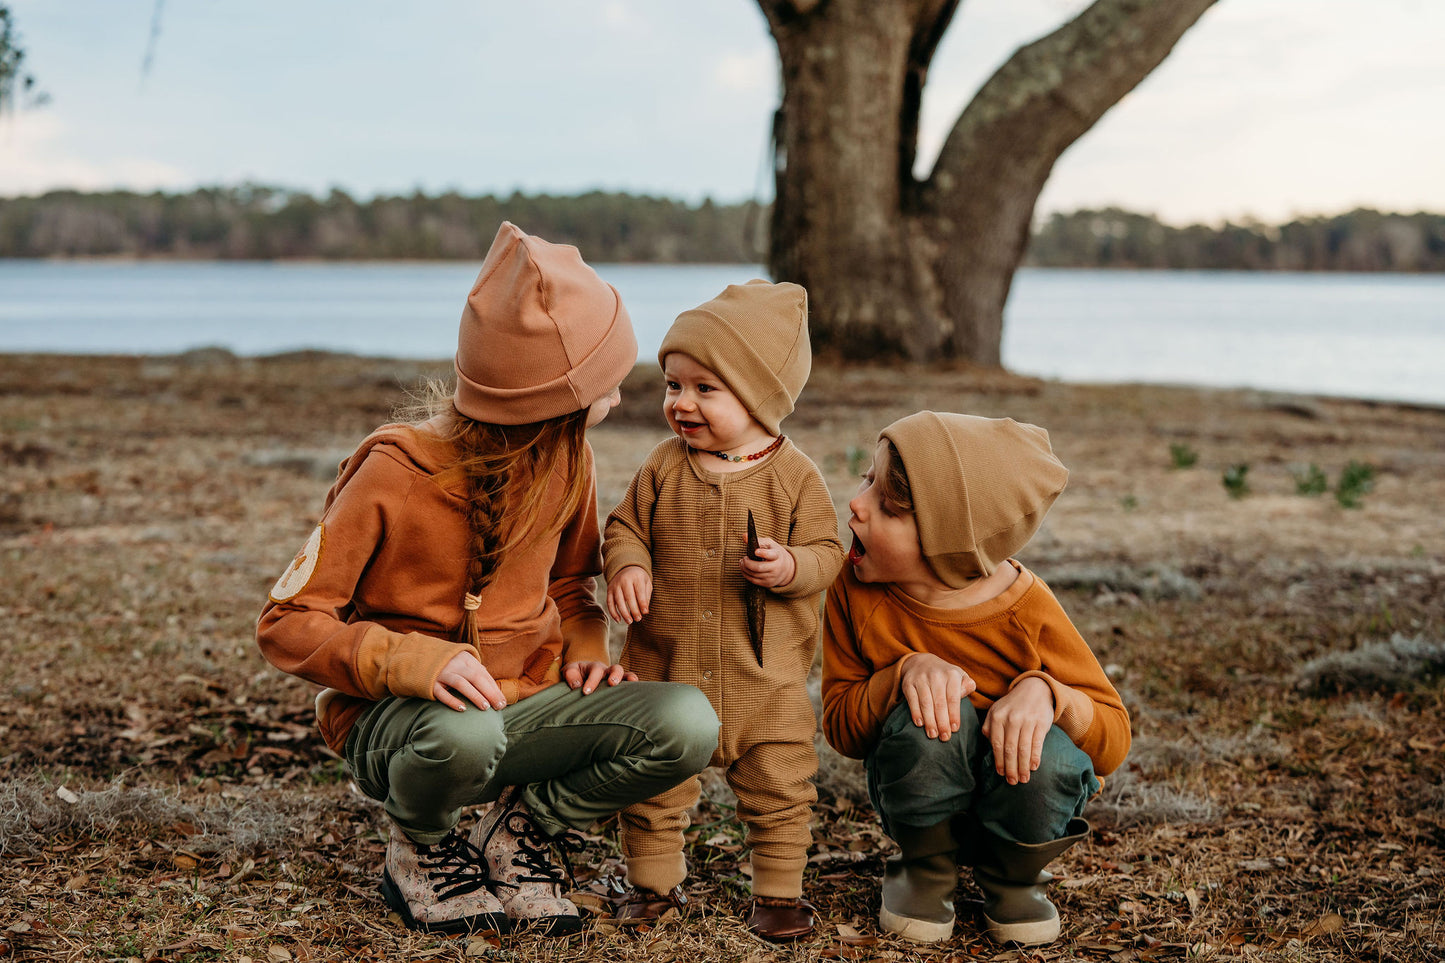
[982,715]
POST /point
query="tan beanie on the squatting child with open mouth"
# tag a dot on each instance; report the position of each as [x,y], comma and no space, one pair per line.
[982,487]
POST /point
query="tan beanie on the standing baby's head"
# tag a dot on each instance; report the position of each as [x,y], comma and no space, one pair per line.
[755,338]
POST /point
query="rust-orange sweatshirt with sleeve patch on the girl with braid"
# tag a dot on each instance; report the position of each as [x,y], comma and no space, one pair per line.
[374,602]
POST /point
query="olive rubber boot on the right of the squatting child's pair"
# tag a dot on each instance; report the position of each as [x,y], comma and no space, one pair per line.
[1017,909]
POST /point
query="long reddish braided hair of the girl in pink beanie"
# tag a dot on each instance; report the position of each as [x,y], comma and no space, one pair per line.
[506,469]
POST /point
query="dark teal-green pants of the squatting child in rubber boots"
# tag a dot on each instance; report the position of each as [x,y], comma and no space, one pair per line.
[917,782]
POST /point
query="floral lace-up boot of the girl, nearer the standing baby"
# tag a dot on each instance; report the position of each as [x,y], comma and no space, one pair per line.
[524,874]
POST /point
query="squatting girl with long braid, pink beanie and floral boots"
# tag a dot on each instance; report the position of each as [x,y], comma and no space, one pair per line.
[446,605]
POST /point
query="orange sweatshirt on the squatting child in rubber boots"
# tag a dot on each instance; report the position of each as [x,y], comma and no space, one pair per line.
[871,631]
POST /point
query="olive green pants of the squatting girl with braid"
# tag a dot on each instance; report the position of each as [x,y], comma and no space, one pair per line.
[580,758]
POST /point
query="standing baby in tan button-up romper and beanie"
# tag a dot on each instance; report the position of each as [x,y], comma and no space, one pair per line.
[700,611]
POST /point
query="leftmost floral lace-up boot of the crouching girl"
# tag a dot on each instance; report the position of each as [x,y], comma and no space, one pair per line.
[440,889]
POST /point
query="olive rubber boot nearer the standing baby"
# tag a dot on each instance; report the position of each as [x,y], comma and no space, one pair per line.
[918,886]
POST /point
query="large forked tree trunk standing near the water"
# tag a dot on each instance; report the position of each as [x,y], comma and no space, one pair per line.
[921,270]
